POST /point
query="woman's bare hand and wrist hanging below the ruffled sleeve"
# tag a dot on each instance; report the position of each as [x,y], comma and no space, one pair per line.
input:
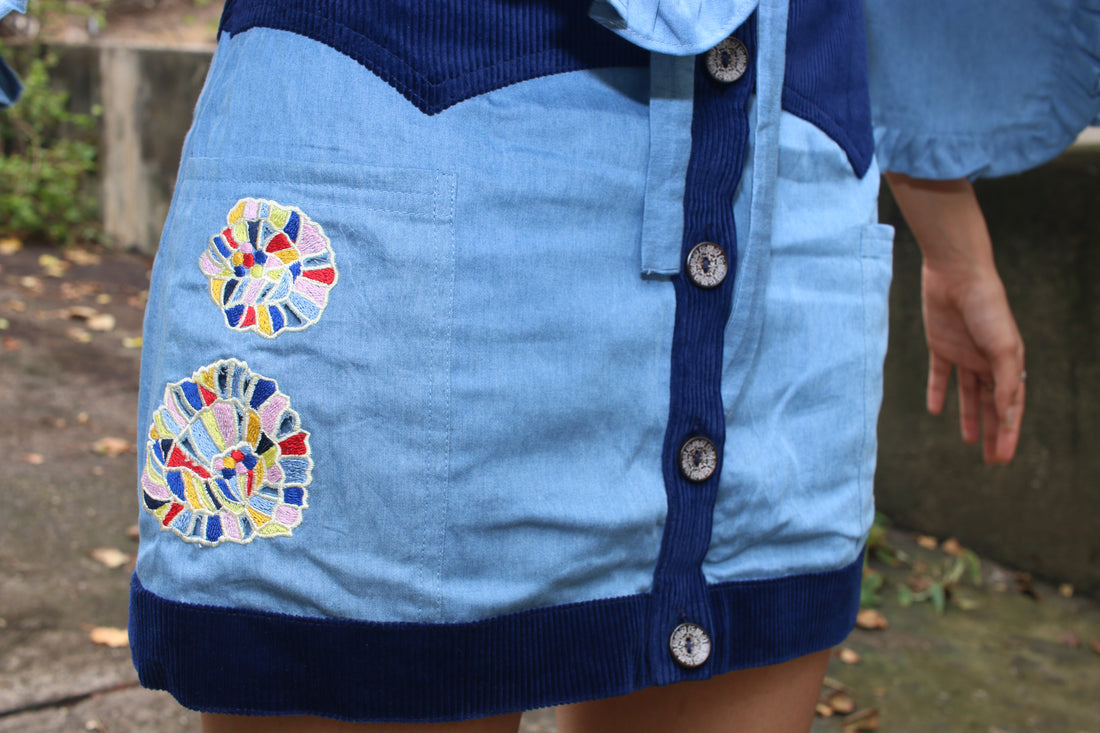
[967,320]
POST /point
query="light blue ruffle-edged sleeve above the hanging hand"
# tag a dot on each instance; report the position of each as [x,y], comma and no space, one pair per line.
[974,89]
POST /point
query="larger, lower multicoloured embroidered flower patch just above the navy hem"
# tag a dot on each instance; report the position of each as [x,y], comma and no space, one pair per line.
[227,460]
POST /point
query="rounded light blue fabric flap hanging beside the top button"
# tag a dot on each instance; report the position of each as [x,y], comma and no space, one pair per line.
[679,28]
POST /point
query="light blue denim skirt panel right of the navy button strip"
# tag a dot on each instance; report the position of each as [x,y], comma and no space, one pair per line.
[800,446]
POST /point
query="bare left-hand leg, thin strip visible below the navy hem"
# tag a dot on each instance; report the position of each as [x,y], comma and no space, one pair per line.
[218,724]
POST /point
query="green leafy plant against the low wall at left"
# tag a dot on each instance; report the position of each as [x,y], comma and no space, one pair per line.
[48,162]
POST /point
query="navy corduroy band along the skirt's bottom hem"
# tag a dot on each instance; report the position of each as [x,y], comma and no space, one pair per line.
[232,661]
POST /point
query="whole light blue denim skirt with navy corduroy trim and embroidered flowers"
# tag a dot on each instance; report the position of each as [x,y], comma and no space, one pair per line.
[480,393]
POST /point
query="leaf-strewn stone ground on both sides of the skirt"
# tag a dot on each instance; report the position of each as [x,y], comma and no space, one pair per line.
[1011,663]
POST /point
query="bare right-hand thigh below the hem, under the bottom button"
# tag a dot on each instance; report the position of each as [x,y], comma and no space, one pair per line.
[777,699]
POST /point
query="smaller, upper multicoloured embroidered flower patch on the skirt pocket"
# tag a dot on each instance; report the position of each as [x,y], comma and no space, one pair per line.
[271,270]
